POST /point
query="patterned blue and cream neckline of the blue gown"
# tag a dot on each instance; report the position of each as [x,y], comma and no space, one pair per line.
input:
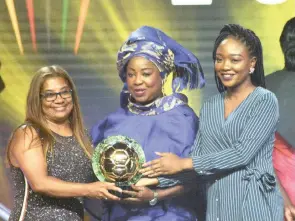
[159,106]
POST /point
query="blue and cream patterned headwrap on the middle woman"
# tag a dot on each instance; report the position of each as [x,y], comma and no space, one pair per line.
[166,54]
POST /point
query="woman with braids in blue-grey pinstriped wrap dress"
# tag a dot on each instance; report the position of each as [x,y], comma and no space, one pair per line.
[232,153]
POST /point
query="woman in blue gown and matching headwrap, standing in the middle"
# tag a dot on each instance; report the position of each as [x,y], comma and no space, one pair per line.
[156,121]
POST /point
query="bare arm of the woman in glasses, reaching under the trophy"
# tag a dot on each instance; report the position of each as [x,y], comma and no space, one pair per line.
[26,153]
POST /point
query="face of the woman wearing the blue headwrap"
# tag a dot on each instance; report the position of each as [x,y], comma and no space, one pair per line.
[143,80]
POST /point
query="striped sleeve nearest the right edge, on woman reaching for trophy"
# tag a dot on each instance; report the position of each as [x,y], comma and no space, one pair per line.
[260,126]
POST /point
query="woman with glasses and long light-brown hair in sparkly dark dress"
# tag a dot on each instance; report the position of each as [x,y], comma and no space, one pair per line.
[49,153]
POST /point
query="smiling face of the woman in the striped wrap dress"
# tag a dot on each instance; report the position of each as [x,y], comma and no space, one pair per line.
[233,63]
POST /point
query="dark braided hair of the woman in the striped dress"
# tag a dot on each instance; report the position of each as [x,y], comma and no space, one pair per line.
[252,42]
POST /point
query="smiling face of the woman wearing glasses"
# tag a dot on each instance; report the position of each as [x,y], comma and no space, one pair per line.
[59,109]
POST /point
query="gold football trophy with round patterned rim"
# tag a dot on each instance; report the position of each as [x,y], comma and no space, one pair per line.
[118,159]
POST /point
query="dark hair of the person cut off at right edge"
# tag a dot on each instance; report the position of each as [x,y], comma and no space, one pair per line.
[287,41]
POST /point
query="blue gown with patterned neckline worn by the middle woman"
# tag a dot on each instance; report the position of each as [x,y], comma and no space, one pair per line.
[167,125]
